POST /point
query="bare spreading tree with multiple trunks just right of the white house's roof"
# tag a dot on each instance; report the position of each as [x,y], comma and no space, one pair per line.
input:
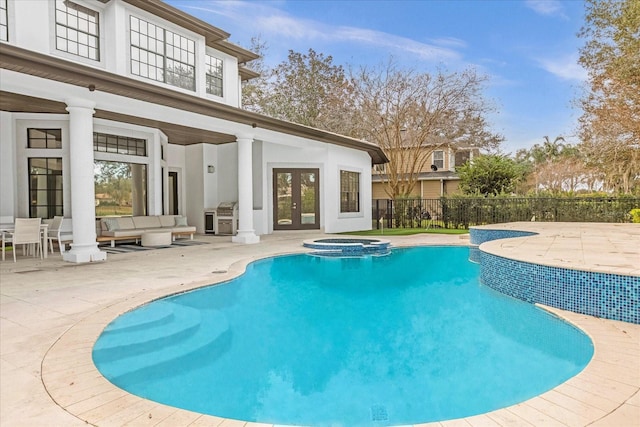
[411,114]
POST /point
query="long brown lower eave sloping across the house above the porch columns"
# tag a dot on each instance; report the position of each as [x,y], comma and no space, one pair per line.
[49,67]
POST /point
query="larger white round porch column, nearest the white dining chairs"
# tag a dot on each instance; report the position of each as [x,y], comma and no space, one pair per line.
[83,209]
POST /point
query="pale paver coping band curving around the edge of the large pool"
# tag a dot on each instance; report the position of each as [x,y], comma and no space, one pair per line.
[606,390]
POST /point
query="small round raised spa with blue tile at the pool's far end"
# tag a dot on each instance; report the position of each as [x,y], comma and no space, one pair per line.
[342,246]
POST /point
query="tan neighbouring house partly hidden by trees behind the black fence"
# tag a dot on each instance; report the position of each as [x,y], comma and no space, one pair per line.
[436,179]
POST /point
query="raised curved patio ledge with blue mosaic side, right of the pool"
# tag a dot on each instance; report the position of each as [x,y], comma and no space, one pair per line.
[506,266]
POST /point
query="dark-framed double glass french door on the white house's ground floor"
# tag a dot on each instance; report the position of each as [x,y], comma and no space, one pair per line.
[296,199]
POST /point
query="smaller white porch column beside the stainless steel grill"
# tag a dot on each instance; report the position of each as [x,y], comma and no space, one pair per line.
[246,232]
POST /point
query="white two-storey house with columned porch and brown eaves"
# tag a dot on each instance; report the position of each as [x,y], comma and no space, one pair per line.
[143,83]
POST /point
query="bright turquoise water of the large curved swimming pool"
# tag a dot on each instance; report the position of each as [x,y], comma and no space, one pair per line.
[407,338]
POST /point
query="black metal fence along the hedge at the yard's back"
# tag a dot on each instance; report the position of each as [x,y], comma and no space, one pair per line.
[465,212]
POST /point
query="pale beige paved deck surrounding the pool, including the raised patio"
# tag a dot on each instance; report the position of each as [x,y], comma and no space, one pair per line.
[51,313]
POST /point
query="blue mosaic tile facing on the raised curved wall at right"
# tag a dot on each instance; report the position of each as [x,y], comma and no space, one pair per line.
[606,295]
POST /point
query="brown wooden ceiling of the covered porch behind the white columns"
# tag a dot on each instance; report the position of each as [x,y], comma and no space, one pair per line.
[177,134]
